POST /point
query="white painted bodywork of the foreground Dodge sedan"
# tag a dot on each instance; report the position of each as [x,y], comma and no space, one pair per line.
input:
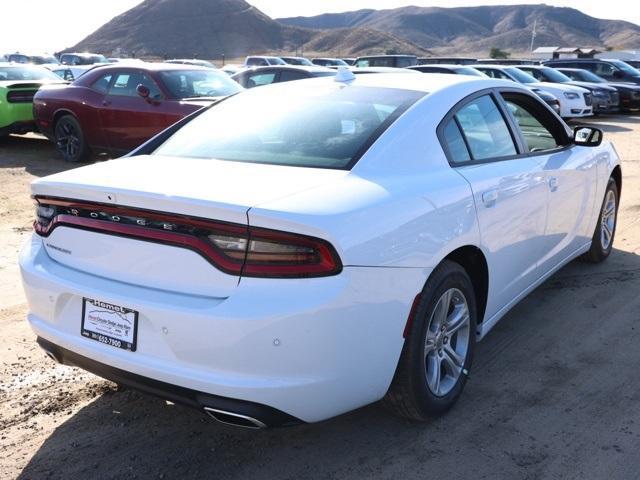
[317,347]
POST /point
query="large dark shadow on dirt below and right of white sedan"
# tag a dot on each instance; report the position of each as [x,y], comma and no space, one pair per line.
[553,394]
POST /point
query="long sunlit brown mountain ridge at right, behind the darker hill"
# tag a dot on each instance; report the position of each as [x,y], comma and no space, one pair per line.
[479,28]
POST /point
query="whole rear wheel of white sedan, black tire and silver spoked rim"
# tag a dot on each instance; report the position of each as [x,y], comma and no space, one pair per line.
[438,351]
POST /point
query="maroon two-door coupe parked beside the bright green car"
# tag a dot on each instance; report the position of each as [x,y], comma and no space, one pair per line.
[116,108]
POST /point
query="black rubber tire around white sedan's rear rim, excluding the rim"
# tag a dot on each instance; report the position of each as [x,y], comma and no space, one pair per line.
[410,394]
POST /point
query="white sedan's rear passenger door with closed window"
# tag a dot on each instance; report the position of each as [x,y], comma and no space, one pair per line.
[509,192]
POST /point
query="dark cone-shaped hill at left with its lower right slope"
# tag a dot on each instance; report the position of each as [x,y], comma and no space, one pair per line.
[209,28]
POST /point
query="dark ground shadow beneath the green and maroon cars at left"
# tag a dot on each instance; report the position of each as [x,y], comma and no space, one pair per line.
[34,153]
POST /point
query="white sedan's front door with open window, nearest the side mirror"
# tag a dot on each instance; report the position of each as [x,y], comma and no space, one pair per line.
[570,174]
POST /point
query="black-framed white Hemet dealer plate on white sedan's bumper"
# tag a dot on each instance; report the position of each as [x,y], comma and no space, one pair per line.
[109,324]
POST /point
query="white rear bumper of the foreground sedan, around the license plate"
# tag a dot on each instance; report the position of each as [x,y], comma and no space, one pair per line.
[311,348]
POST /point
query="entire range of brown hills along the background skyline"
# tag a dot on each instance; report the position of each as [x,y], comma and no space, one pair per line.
[210,28]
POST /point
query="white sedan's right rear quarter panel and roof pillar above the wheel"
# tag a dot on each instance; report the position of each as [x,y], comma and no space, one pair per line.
[402,205]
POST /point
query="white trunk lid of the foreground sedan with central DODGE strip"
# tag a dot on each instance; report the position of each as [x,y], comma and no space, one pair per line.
[167,195]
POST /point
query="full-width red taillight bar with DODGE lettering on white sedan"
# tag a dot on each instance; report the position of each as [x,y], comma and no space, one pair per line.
[232,248]
